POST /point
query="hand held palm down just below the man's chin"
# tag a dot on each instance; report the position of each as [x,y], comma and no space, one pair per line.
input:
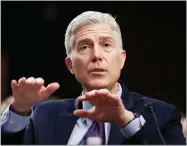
[107,107]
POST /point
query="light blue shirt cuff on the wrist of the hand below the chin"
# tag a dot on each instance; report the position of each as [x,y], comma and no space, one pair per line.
[133,127]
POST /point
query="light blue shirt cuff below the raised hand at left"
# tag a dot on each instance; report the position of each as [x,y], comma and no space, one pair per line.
[13,122]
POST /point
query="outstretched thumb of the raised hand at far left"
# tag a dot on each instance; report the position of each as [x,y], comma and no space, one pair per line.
[51,88]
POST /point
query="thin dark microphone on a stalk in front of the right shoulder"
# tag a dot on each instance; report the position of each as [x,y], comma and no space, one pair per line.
[150,107]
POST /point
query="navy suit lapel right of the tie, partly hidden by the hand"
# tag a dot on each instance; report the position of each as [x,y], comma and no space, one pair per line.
[116,137]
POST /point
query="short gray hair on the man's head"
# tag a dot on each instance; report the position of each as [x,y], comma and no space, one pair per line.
[87,18]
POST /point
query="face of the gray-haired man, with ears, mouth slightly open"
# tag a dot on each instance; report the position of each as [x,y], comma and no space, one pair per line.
[96,59]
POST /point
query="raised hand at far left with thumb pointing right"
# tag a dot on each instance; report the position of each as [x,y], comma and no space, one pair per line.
[27,92]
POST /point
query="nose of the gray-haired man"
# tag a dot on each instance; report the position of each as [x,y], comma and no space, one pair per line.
[97,53]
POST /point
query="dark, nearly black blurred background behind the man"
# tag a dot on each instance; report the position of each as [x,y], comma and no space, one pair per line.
[154,36]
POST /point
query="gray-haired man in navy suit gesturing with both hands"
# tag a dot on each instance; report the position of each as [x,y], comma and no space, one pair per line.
[105,113]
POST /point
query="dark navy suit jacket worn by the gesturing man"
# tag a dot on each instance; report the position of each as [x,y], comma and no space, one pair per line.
[53,121]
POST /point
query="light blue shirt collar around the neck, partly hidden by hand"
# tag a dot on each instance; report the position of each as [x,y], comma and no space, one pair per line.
[87,105]
